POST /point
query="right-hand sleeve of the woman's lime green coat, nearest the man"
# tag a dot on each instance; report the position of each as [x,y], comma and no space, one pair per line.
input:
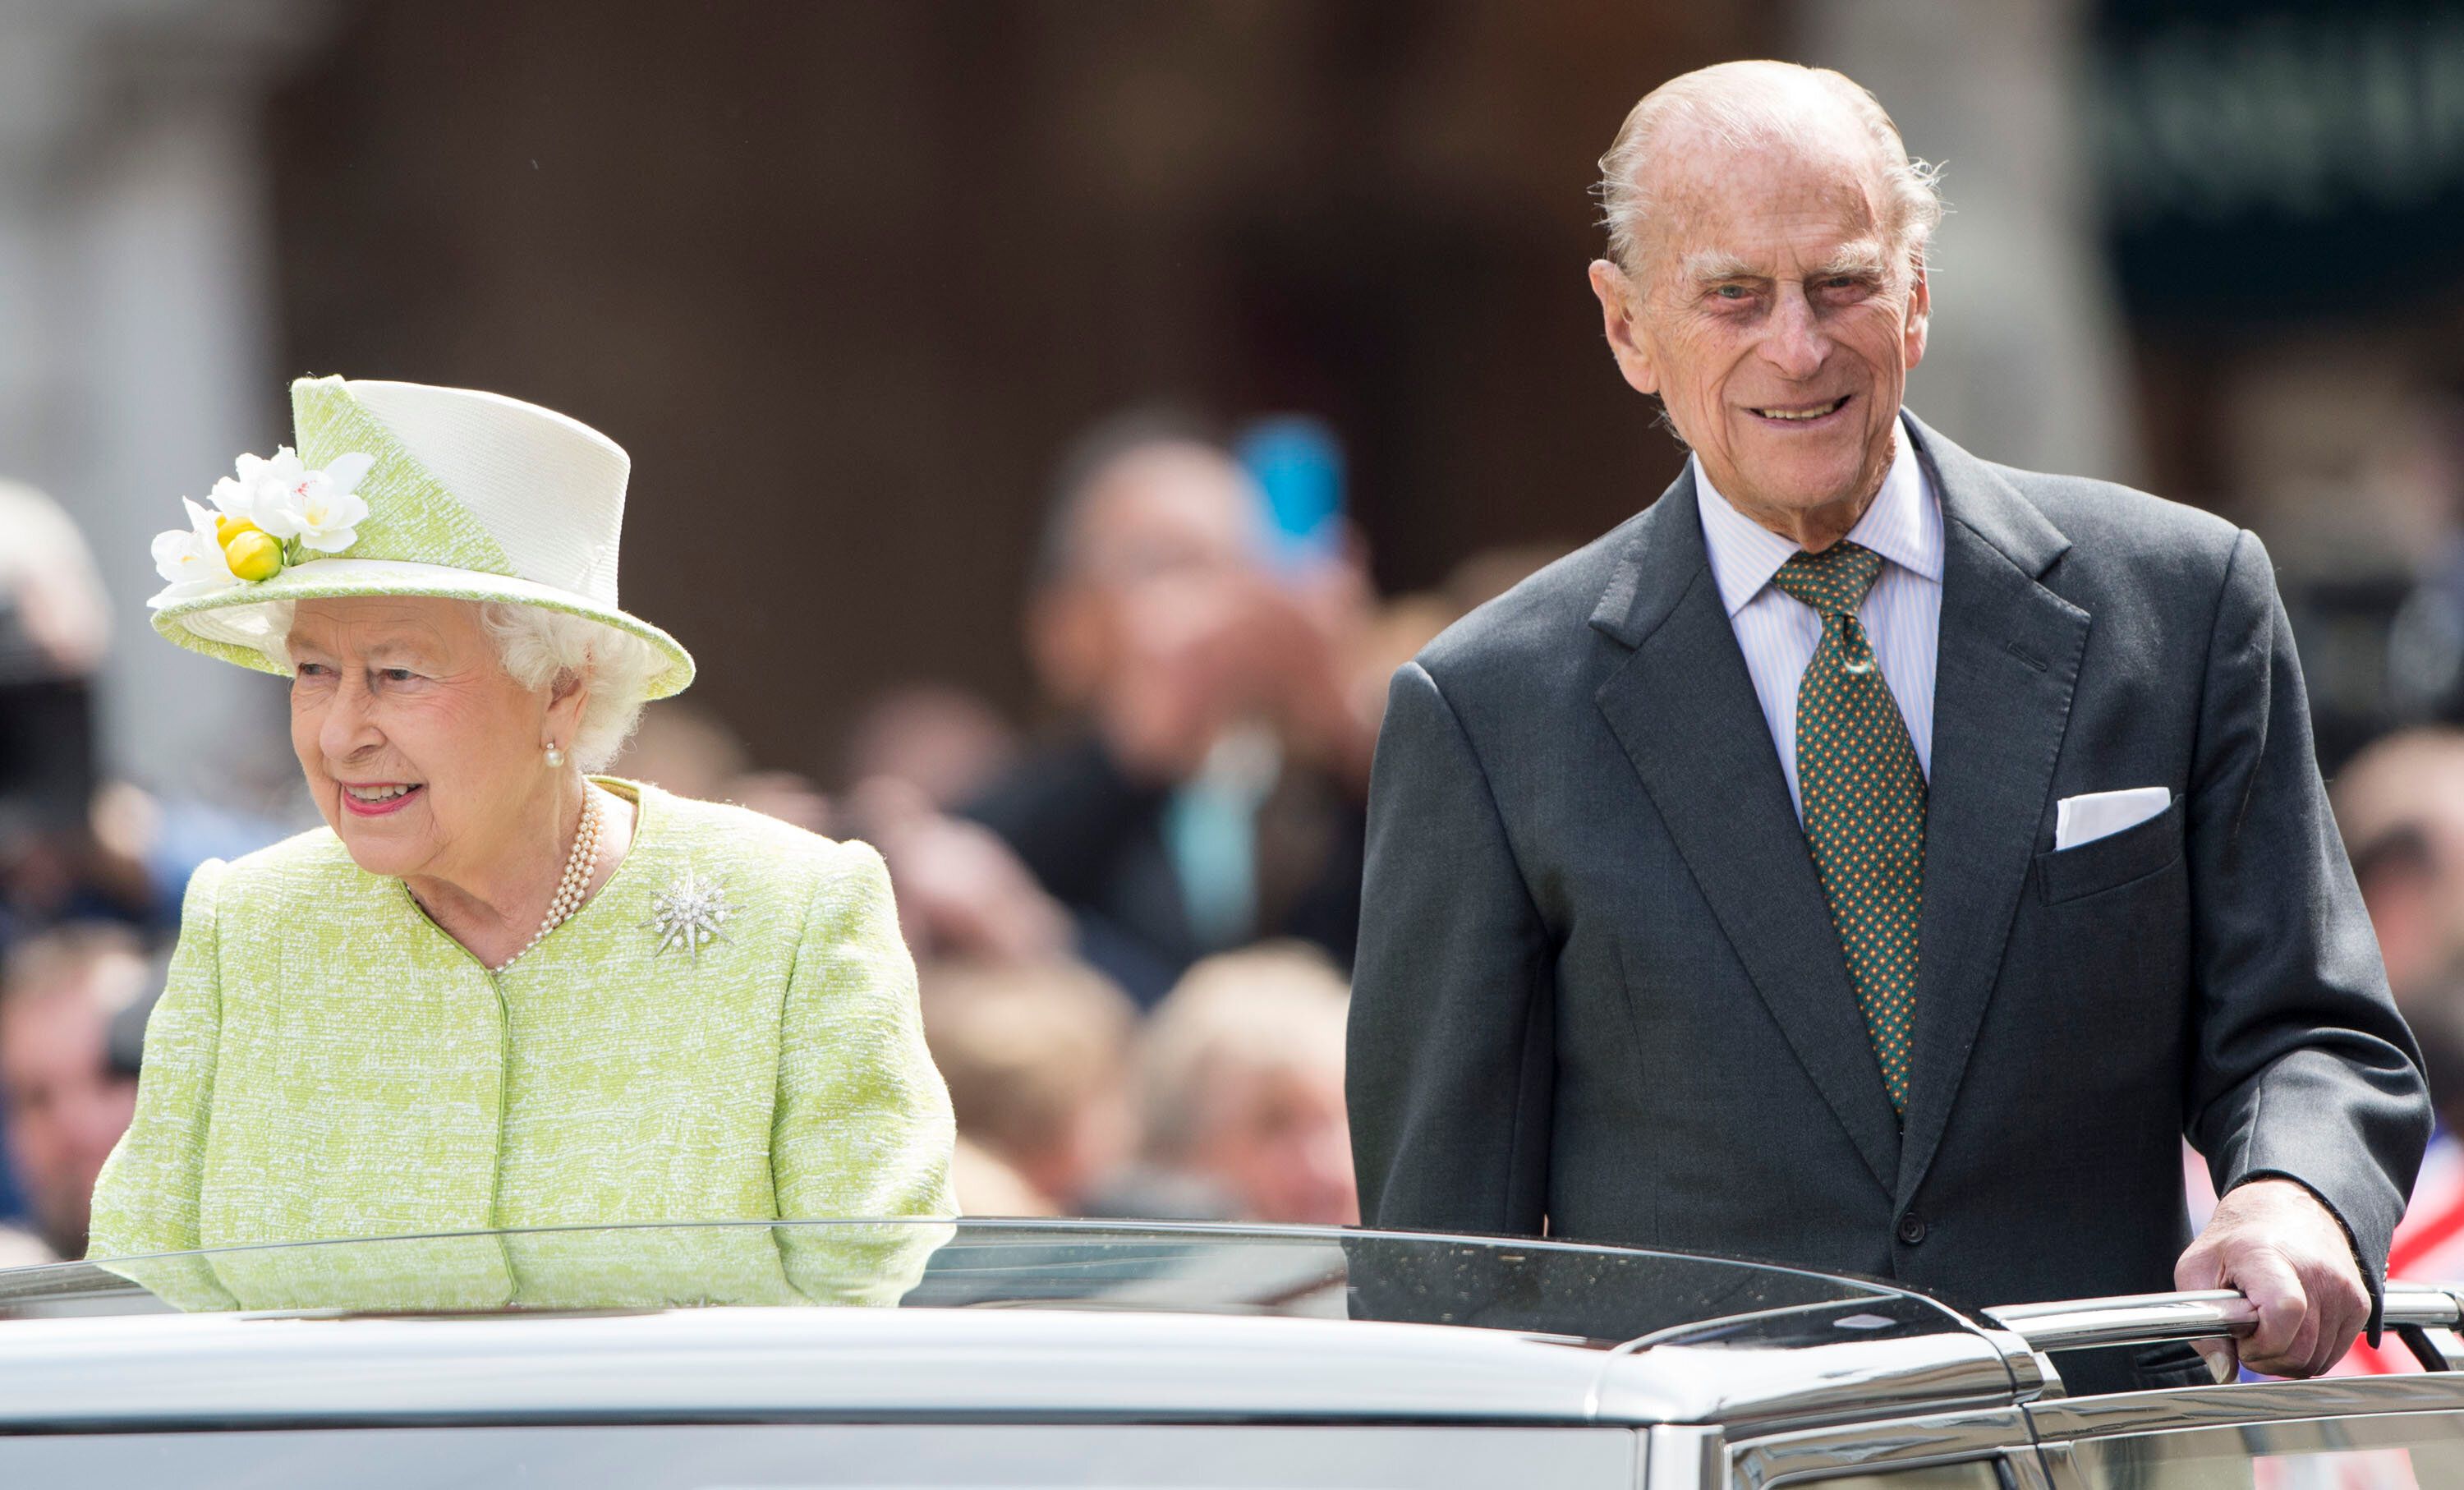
[864,1122]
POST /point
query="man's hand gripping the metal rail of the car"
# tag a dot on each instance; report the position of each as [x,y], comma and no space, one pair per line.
[2290,1257]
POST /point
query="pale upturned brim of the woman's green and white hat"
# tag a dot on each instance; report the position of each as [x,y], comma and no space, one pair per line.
[238,624]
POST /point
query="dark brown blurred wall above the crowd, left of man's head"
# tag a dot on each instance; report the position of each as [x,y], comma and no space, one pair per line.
[846,277]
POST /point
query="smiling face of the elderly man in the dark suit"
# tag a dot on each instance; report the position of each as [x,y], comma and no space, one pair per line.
[1778,316]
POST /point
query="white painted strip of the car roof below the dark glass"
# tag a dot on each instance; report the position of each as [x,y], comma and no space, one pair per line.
[883,1366]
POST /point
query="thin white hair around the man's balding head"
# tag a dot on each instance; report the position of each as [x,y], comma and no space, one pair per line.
[1761,105]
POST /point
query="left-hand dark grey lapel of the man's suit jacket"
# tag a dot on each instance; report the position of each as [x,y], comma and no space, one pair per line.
[1684,708]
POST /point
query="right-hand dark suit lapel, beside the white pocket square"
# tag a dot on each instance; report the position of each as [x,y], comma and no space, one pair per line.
[2009,661]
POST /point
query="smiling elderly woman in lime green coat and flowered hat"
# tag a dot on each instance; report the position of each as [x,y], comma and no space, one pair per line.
[499,991]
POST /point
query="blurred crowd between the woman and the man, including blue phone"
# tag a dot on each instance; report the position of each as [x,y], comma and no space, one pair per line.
[1135,912]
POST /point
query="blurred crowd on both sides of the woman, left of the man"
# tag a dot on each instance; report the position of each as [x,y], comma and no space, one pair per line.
[1132,910]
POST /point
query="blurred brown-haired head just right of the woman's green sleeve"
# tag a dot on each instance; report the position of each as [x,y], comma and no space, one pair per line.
[1036,1058]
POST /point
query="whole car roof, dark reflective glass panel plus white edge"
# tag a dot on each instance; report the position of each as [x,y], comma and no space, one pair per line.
[999,1319]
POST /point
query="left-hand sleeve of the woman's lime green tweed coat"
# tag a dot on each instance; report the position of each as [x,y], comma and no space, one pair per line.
[147,1198]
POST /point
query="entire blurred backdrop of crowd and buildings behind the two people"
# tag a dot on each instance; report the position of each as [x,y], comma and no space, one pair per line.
[854,280]
